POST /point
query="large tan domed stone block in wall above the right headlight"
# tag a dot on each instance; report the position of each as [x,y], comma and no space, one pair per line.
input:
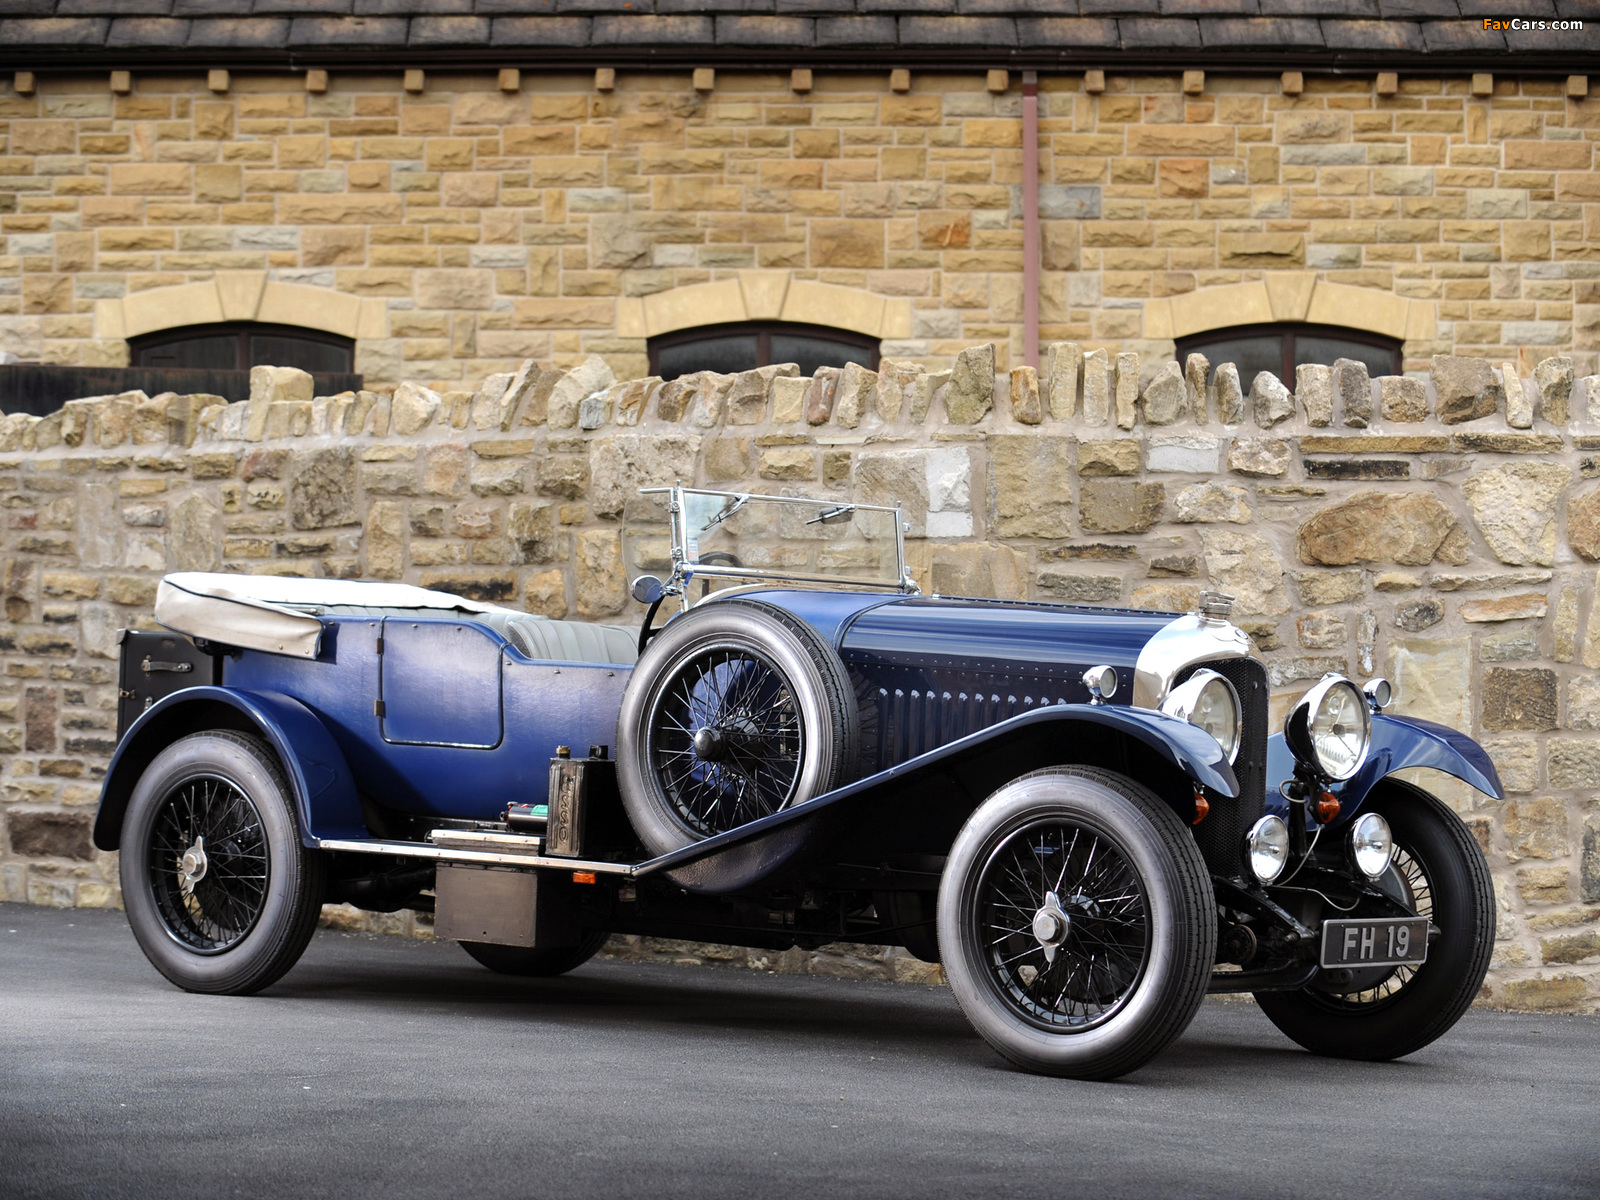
[1409,529]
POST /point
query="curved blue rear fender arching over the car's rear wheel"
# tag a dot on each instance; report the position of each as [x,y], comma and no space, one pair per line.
[319,777]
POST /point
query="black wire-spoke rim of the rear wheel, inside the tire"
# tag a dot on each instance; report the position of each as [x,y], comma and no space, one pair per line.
[209,863]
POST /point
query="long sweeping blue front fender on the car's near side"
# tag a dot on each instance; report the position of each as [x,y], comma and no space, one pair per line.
[934,793]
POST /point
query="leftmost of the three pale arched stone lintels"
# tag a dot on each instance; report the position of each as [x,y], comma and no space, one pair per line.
[241,297]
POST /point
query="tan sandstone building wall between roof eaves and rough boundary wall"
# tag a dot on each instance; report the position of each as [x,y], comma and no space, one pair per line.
[457,230]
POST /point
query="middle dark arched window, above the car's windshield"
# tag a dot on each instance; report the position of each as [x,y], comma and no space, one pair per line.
[751,345]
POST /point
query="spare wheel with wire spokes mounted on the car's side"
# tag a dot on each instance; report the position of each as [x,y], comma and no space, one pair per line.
[735,711]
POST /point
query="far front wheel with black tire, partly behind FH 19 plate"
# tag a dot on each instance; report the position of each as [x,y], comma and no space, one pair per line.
[1442,871]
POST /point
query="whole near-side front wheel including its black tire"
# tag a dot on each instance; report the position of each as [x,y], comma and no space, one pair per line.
[1143,902]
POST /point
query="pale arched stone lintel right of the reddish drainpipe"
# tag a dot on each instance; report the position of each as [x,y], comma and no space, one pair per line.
[1290,297]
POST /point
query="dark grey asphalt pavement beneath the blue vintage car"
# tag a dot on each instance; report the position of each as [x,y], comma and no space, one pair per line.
[390,1068]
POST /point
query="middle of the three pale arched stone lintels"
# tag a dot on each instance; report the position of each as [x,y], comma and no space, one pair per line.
[766,295]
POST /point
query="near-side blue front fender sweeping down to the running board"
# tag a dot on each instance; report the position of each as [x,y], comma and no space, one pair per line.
[982,761]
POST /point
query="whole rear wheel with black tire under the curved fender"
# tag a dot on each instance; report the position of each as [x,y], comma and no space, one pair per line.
[254,892]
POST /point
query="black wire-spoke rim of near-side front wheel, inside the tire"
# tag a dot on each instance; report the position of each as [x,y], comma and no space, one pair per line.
[1066,924]
